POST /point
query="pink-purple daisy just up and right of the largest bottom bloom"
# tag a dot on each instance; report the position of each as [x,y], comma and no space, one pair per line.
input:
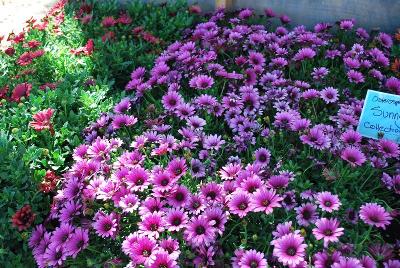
[328,230]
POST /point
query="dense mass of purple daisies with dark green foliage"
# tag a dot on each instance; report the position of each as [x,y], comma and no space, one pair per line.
[237,148]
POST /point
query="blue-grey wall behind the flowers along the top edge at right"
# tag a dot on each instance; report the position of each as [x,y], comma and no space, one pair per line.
[382,14]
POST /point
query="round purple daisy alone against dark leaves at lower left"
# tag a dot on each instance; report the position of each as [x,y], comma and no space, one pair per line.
[106,225]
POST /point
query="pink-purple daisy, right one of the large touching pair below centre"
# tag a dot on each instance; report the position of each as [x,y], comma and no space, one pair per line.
[265,201]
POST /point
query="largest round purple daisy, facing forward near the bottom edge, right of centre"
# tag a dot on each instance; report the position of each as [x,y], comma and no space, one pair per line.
[289,249]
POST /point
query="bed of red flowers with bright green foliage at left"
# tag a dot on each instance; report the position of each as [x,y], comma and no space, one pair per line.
[59,74]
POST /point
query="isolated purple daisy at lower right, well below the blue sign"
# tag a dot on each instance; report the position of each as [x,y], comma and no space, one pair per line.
[375,215]
